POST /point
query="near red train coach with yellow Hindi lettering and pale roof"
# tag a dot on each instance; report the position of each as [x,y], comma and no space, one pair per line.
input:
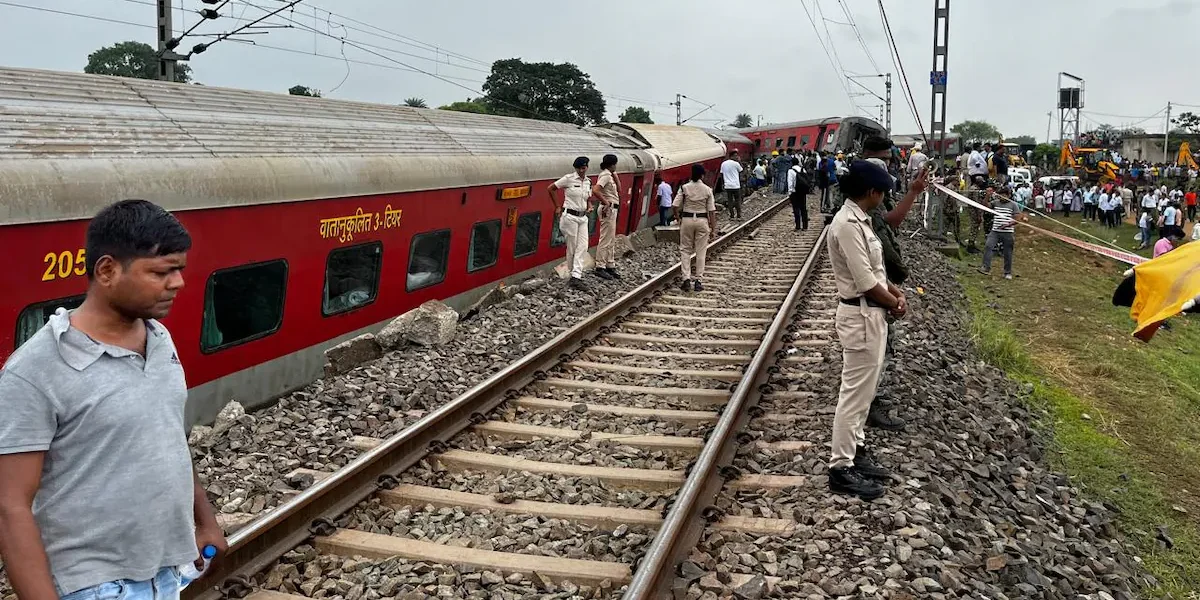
[313,220]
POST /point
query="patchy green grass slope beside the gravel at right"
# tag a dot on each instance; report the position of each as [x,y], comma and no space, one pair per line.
[1124,417]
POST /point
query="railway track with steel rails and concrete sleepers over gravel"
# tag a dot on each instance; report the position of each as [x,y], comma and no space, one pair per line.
[585,469]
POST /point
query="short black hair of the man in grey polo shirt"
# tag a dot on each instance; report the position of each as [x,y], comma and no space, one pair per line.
[133,230]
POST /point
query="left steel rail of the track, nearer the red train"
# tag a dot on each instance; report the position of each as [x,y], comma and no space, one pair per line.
[268,538]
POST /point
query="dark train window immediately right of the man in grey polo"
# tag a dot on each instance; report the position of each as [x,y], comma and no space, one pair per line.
[243,304]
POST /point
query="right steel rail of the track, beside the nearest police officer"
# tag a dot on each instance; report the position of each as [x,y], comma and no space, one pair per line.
[676,537]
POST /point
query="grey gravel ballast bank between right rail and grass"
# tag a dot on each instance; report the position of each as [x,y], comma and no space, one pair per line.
[971,512]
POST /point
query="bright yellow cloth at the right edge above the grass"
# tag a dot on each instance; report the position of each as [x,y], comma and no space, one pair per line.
[1162,287]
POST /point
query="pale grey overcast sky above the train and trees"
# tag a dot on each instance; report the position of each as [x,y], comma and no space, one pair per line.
[769,62]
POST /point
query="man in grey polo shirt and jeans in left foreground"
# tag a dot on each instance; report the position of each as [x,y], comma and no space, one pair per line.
[98,494]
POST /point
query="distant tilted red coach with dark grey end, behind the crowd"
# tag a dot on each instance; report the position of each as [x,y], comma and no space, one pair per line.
[832,135]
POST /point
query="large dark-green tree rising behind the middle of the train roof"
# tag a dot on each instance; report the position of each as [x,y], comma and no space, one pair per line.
[543,91]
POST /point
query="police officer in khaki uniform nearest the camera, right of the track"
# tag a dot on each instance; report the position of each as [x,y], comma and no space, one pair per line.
[867,299]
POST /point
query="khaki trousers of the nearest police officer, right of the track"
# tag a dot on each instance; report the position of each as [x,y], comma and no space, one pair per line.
[863,333]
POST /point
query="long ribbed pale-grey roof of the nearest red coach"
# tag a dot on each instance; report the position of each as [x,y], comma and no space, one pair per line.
[73,143]
